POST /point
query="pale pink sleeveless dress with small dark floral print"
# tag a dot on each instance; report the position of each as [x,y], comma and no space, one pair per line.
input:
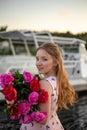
[53,122]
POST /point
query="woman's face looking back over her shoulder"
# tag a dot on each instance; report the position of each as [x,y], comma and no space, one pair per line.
[44,63]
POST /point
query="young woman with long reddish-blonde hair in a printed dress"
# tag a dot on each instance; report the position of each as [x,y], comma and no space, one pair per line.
[61,93]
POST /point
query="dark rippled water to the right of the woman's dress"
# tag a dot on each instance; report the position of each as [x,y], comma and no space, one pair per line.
[76,117]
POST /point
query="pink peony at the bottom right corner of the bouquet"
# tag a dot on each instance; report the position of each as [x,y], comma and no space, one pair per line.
[38,116]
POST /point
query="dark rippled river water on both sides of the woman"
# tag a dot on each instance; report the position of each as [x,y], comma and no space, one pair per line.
[73,119]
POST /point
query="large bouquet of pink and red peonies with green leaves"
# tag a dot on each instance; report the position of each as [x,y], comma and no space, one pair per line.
[23,96]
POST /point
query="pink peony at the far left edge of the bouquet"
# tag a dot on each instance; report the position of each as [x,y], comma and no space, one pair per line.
[6,79]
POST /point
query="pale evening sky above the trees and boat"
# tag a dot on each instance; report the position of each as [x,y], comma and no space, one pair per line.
[39,15]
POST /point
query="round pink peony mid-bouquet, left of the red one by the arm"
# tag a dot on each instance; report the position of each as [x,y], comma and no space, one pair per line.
[33,98]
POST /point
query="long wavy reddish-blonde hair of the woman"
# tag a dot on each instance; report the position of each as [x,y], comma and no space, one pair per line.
[67,94]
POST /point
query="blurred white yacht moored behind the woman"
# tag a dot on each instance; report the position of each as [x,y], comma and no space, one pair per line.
[17,50]
